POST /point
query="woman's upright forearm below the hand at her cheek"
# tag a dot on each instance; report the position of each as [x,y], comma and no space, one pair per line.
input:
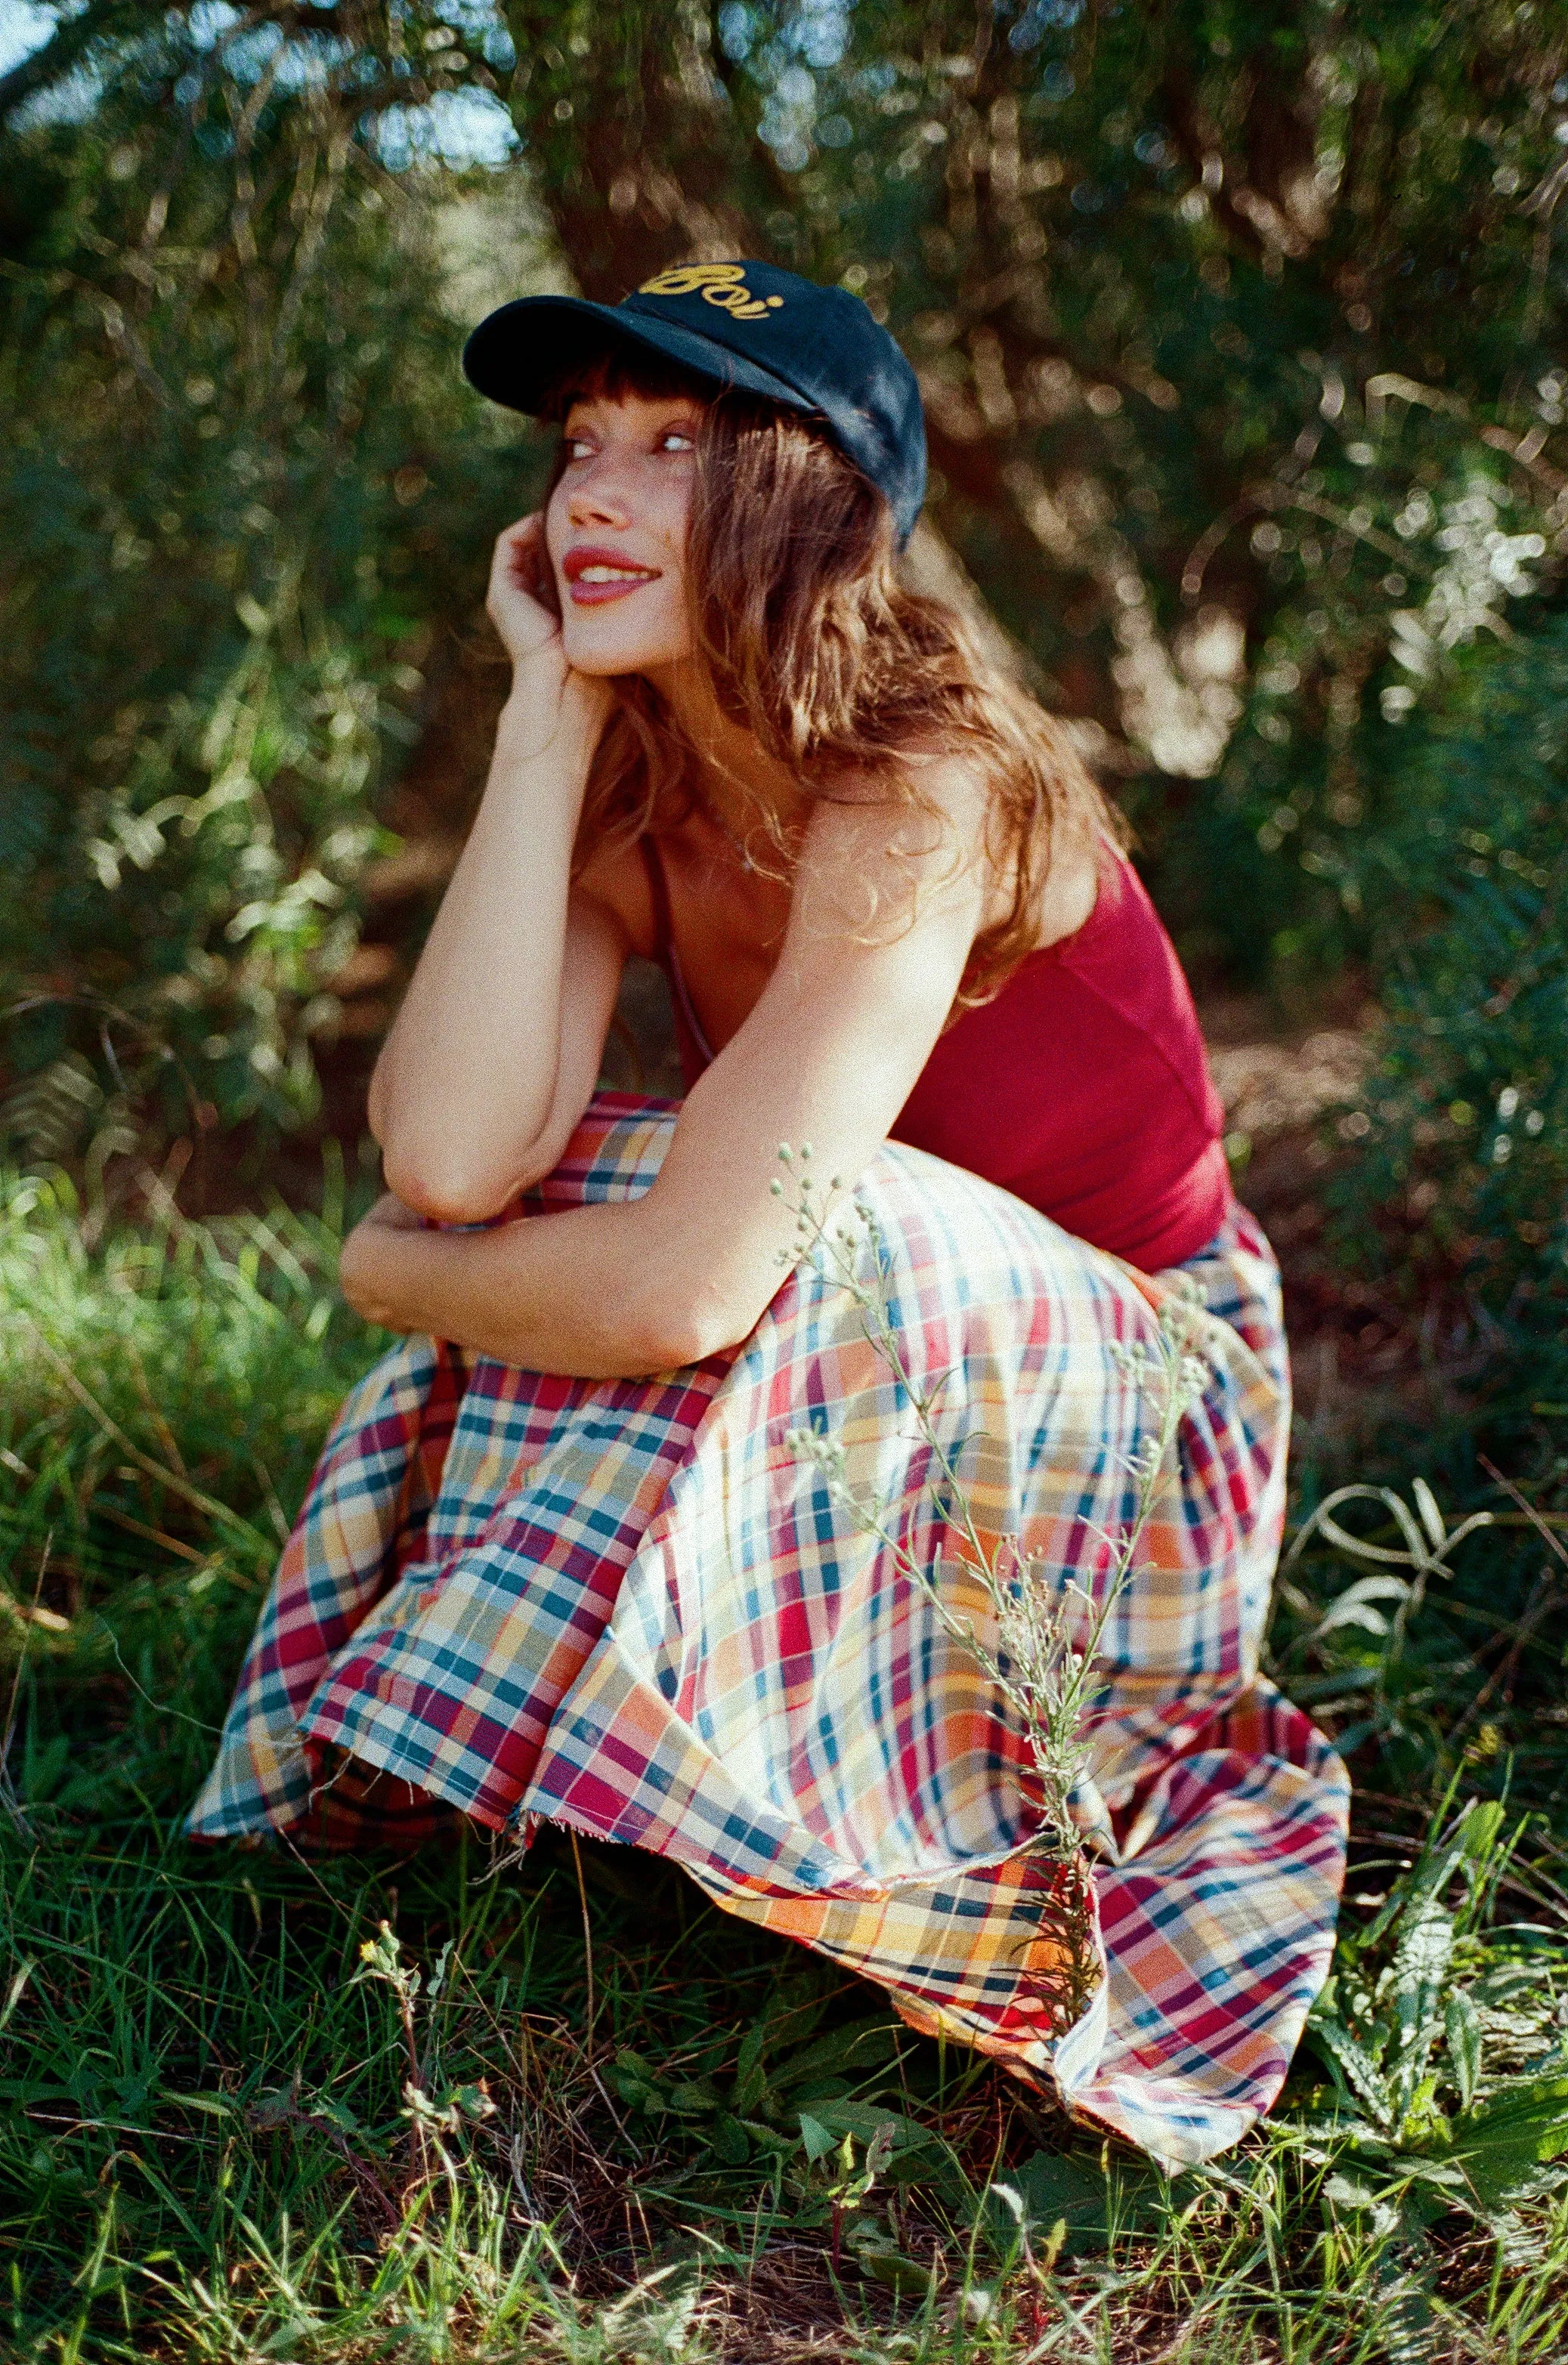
[469,1070]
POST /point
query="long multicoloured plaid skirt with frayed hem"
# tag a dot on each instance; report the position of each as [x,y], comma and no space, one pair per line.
[633,1609]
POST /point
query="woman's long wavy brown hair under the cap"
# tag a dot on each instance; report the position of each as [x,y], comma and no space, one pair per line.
[836,668]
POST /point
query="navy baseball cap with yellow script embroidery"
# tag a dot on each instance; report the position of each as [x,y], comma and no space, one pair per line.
[744,325]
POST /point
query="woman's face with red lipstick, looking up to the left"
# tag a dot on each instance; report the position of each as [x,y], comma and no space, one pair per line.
[616,533]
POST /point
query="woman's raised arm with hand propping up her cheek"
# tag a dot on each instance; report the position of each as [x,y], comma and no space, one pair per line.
[469,1089]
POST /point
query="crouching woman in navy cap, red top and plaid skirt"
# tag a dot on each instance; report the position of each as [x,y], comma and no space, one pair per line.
[536,1581]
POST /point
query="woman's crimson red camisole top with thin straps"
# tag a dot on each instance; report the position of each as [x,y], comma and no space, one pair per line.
[1082,1087]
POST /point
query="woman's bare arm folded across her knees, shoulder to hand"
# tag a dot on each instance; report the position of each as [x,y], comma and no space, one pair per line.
[829,1056]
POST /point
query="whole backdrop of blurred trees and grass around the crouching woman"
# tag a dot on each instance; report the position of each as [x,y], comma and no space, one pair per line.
[1240,328]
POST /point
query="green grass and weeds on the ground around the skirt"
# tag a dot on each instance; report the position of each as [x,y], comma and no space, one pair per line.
[566,2108]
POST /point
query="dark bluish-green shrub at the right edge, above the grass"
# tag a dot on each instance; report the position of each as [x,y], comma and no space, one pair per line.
[1463,1136]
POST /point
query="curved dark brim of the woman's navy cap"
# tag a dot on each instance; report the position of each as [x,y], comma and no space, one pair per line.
[519,354]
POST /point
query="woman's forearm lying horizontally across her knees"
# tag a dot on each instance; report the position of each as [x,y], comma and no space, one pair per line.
[597,1292]
